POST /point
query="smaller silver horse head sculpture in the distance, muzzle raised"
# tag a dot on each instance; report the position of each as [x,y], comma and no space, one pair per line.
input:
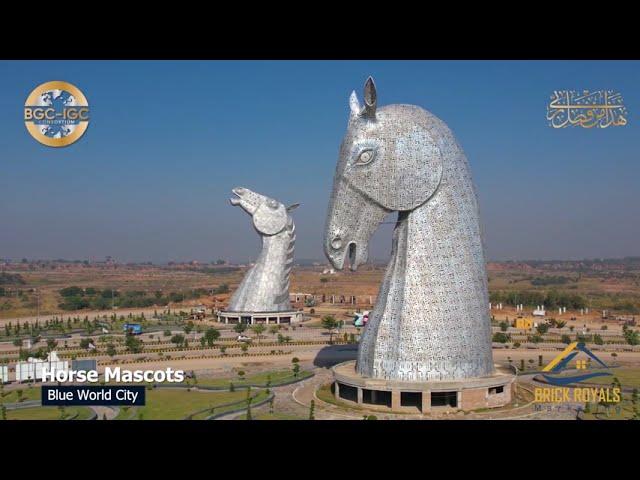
[265,287]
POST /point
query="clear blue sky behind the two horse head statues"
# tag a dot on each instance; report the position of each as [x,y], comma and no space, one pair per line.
[150,180]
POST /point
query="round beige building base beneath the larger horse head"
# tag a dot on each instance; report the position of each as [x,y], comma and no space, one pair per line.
[425,397]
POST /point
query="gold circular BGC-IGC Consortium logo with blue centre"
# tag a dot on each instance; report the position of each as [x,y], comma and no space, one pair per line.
[56,114]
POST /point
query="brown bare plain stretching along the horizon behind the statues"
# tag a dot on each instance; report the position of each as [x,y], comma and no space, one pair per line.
[612,286]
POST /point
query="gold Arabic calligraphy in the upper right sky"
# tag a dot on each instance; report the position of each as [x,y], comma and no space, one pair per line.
[600,109]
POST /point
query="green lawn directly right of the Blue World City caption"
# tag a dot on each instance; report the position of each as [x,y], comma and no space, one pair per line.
[176,404]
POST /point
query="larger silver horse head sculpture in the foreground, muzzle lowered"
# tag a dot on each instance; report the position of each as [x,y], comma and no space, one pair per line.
[431,319]
